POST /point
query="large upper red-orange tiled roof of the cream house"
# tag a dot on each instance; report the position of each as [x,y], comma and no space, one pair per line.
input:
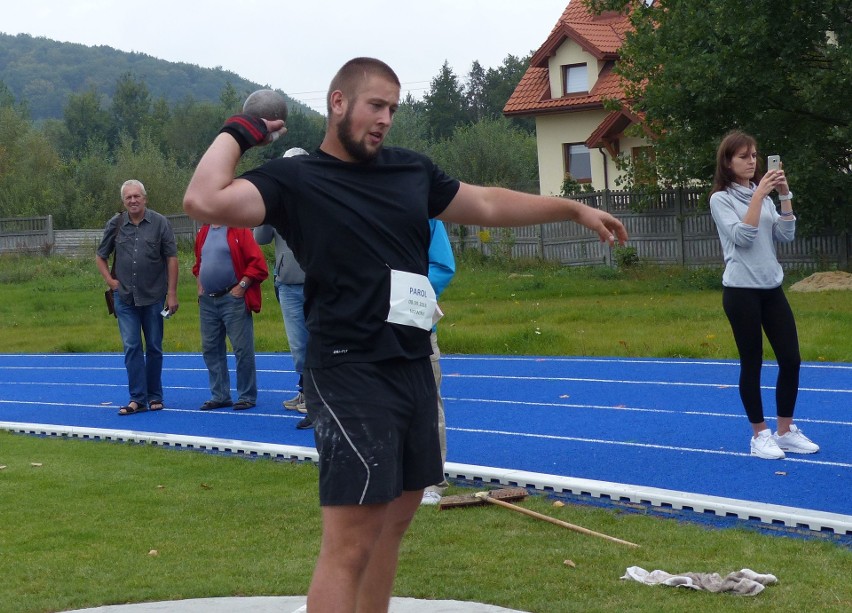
[599,35]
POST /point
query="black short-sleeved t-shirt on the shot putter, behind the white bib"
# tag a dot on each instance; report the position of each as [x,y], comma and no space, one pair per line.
[349,224]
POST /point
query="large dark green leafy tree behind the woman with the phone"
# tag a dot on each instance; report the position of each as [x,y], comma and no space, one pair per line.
[782,72]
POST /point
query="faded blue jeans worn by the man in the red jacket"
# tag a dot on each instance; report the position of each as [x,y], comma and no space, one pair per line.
[227,315]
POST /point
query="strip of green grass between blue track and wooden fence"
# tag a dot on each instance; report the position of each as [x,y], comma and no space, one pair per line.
[521,308]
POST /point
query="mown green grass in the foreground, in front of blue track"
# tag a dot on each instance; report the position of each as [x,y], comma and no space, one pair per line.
[79,529]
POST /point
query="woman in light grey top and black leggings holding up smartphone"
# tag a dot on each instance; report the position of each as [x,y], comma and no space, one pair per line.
[749,226]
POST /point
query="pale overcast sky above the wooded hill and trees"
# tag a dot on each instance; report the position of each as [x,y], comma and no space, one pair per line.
[298,46]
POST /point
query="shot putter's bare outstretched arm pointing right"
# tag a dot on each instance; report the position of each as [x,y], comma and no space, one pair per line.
[497,207]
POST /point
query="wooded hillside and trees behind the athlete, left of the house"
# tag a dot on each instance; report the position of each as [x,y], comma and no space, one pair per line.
[76,122]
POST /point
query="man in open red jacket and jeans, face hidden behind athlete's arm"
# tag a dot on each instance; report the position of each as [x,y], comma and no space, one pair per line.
[230,267]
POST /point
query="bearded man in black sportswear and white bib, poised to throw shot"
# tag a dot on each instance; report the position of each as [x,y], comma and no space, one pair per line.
[357,218]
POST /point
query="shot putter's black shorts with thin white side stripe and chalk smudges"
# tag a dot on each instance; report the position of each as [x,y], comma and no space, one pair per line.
[376,429]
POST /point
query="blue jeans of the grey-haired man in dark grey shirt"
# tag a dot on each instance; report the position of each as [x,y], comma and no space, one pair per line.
[144,367]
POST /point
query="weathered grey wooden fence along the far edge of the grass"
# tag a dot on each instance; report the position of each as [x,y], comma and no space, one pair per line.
[675,227]
